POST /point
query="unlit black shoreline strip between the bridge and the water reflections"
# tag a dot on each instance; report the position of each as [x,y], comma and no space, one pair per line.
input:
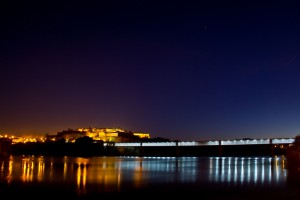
[97,149]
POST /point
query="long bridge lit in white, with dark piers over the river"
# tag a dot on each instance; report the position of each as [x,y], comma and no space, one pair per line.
[212,147]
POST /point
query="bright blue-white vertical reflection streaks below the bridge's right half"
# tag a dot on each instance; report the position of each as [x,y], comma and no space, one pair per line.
[245,170]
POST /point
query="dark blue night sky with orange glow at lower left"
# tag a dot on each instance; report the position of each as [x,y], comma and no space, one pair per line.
[175,69]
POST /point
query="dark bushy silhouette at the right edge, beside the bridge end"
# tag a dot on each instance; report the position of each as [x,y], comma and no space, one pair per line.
[293,154]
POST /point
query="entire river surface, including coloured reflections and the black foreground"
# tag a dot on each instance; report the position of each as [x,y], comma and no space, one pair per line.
[148,177]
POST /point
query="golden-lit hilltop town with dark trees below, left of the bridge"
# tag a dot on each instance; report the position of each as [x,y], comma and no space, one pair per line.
[77,142]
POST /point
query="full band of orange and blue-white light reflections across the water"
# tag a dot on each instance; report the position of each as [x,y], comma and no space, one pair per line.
[112,173]
